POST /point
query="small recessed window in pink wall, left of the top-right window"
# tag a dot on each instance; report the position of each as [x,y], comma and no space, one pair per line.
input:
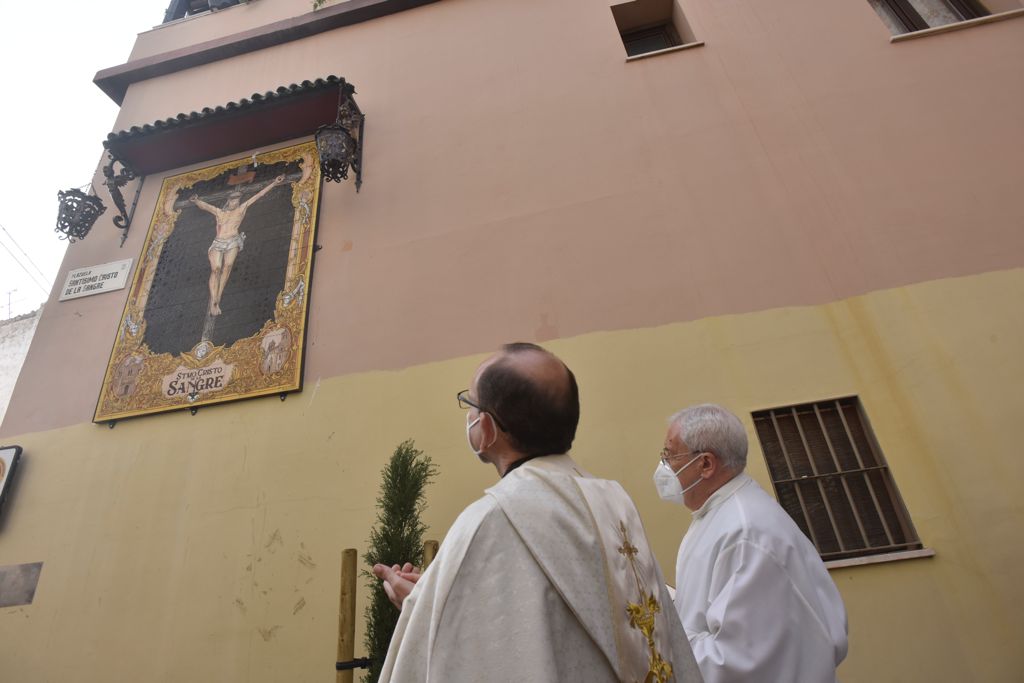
[652,26]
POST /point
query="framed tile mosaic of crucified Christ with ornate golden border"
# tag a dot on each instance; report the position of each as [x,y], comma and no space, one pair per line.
[219,301]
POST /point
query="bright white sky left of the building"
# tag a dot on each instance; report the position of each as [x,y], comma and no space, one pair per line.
[55,121]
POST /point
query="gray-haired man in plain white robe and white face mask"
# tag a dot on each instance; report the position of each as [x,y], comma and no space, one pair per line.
[752,592]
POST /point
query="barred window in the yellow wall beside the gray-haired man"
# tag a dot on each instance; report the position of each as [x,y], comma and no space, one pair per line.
[830,475]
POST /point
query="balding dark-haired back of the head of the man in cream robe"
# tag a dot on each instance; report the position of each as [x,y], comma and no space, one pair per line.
[535,397]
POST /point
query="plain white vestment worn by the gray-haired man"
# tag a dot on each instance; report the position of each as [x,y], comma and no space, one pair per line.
[753,594]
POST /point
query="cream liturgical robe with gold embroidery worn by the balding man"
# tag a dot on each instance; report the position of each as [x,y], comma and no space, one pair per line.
[547,578]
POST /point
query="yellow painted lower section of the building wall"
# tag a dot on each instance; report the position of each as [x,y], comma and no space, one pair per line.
[206,548]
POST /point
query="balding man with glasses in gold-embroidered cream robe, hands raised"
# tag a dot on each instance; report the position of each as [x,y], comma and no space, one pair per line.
[549,577]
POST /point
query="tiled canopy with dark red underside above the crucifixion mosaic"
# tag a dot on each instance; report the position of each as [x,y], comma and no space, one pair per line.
[288,113]
